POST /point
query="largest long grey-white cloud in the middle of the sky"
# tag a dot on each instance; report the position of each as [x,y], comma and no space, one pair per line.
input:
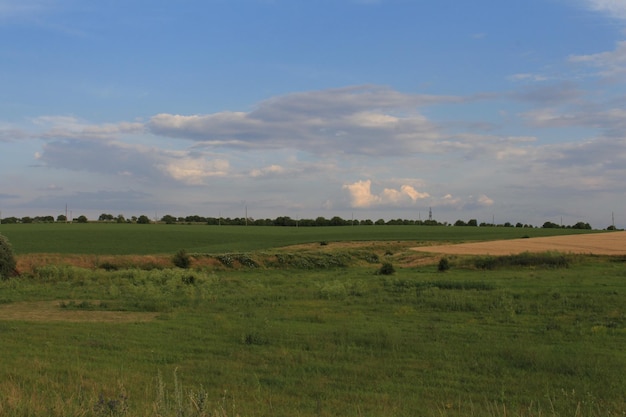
[351,120]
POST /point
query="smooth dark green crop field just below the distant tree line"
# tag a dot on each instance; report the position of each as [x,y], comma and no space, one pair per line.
[113,239]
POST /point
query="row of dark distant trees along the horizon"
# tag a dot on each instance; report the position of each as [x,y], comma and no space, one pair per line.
[278,221]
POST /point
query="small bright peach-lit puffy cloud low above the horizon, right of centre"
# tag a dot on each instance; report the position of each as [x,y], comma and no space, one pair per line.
[361,195]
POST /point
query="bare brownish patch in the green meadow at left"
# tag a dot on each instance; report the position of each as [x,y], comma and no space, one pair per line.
[52,311]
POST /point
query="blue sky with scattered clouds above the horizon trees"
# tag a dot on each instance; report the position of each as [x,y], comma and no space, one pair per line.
[505,111]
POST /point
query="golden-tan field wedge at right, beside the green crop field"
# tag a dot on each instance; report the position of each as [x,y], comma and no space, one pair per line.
[613,243]
